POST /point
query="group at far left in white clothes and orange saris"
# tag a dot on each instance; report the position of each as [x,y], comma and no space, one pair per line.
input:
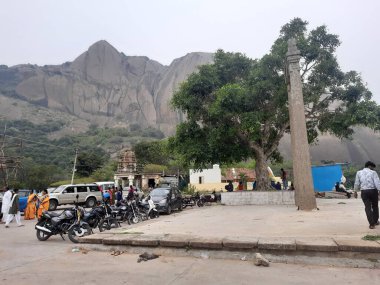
[10,208]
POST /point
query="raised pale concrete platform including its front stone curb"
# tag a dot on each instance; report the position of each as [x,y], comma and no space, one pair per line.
[334,232]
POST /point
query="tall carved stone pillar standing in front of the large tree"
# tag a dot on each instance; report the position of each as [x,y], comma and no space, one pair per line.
[302,179]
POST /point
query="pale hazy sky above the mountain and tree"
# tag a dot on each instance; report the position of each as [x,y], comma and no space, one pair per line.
[52,32]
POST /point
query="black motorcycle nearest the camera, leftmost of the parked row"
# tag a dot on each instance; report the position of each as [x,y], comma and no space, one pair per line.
[67,222]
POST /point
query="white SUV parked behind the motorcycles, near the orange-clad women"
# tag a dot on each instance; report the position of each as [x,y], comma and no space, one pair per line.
[88,194]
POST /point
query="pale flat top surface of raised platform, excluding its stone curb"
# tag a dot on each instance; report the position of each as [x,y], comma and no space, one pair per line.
[336,218]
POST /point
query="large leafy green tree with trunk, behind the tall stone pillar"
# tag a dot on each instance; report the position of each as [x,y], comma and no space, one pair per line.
[237,108]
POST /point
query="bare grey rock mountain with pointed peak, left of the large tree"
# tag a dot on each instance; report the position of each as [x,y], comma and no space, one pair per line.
[104,86]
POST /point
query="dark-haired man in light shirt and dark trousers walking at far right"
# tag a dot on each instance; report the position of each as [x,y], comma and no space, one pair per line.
[367,181]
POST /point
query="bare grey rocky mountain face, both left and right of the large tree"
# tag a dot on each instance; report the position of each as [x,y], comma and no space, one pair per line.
[107,88]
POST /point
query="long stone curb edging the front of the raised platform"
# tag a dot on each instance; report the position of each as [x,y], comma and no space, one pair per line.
[236,243]
